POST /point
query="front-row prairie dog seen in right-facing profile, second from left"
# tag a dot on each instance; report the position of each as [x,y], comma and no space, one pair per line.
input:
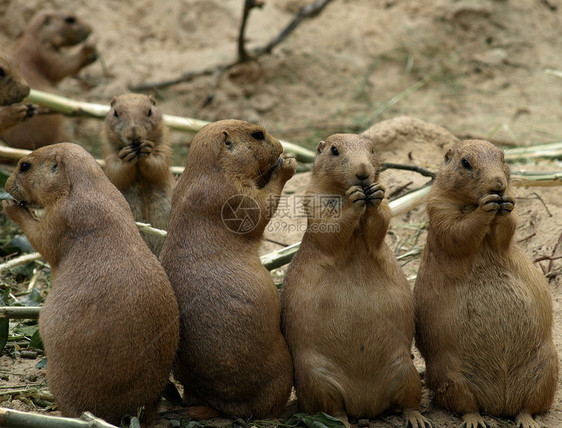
[232,355]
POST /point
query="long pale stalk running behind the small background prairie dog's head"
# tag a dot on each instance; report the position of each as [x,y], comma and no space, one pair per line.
[70,107]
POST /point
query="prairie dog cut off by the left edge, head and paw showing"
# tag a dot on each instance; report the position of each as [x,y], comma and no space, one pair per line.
[13,89]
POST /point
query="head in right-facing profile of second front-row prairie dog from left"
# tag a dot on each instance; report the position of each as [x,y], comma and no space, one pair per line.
[241,150]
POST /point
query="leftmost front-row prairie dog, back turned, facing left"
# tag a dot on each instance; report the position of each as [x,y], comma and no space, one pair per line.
[110,321]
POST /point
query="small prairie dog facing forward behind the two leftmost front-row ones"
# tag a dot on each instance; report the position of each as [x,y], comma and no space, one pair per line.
[137,160]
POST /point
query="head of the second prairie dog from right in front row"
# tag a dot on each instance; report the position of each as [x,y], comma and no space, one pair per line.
[345,160]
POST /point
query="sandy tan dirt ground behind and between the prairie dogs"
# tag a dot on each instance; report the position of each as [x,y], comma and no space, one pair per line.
[478,67]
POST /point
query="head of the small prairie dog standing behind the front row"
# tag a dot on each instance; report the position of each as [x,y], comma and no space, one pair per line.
[133,119]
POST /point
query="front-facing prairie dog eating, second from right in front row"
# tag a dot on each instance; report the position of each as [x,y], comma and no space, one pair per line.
[347,308]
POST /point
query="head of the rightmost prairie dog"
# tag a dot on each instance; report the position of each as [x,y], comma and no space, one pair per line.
[473,168]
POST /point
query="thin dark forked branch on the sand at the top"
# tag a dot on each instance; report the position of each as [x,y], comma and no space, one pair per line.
[308,11]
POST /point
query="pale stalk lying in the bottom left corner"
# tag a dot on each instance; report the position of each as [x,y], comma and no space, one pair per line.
[10,418]
